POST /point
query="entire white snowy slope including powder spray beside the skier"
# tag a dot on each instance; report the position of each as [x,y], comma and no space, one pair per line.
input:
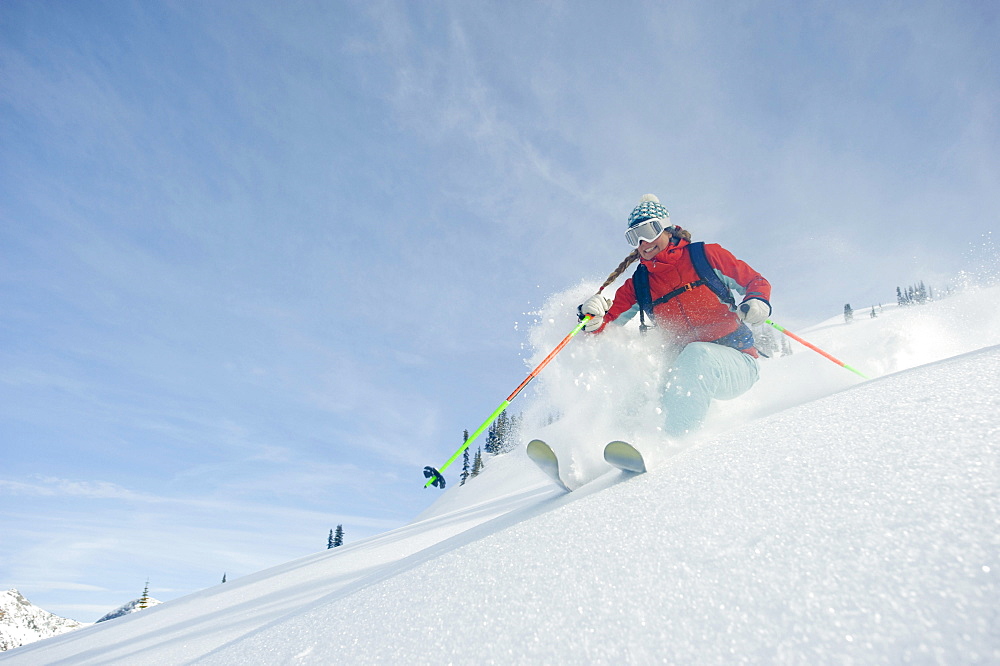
[821,519]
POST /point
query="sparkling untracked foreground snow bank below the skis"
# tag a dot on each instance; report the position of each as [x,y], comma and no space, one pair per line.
[807,542]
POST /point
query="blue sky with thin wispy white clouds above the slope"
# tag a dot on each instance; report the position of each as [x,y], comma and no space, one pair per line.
[262,262]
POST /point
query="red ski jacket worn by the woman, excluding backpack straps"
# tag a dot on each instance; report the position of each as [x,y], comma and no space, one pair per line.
[696,315]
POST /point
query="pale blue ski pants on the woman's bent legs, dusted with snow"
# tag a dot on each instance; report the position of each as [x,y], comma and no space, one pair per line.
[703,372]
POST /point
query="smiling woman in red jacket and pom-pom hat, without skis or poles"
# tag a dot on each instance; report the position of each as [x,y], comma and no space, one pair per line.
[684,289]
